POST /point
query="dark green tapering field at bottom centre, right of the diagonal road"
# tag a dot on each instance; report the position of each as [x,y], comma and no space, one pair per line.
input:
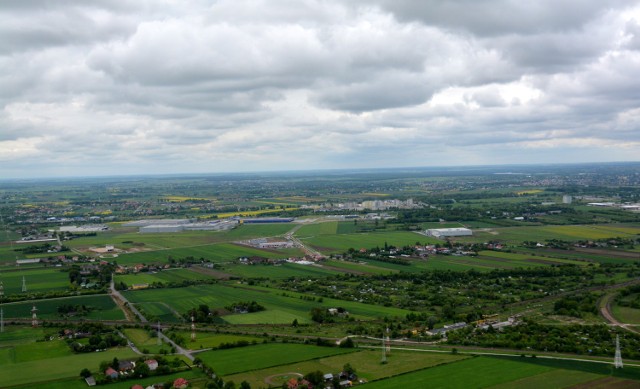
[242,359]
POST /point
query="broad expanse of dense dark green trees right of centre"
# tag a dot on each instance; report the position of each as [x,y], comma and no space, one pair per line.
[459,296]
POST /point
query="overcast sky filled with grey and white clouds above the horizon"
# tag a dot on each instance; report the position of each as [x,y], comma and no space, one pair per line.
[121,87]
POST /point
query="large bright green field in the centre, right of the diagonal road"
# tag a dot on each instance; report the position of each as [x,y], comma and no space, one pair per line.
[279,309]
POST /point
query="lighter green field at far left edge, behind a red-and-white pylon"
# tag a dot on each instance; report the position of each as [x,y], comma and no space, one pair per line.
[37,279]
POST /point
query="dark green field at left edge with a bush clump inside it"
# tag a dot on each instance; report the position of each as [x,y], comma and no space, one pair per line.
[105,308]
